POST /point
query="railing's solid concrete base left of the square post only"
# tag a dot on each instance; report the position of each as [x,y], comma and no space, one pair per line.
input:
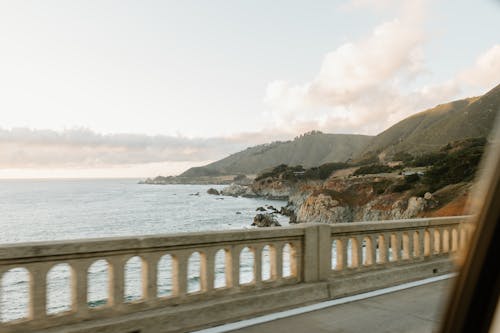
[187,317]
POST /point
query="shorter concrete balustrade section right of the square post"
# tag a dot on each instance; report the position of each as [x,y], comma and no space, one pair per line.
[395,242]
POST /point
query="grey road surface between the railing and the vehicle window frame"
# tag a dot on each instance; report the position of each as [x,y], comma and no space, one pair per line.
[417,309]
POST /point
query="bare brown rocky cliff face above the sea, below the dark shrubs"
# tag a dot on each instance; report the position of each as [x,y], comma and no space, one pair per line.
[362,198]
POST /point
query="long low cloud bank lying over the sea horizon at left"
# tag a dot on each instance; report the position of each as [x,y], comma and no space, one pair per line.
[83,149]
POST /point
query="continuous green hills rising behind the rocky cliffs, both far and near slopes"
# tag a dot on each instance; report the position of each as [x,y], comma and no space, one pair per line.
[419,134]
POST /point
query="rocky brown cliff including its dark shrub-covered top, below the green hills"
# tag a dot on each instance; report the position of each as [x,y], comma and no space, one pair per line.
[436,184]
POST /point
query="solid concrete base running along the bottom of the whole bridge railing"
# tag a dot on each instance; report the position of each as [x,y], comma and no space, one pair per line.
[188,317]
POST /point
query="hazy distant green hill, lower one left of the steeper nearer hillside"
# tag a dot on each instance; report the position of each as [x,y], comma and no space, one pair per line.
[311,149]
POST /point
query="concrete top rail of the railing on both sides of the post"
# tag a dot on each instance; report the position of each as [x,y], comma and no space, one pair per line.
[36,251]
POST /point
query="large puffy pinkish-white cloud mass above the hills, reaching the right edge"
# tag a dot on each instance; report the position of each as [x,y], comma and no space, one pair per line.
[358,87]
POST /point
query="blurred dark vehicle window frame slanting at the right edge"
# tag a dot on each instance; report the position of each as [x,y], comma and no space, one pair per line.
[474,299]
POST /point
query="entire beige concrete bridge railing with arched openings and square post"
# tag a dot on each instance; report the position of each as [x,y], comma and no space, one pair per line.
[285,267]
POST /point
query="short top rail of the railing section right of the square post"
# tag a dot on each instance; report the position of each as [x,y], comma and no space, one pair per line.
[396,225]
